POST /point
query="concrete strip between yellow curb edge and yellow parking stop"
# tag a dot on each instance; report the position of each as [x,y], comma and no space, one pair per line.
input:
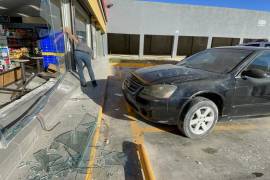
[116,136]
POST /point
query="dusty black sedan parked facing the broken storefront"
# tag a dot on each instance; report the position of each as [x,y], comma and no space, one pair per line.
[218,83]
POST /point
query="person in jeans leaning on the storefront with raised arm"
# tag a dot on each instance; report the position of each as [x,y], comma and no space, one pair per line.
[83,55]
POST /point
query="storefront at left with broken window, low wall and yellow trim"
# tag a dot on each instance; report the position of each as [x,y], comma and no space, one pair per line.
[29,31]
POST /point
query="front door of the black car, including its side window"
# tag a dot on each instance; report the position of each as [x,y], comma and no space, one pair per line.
[252,94]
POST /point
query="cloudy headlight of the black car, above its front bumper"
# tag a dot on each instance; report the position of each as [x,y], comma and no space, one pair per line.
[159,90]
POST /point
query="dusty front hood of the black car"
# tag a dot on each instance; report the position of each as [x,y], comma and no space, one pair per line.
[169,73]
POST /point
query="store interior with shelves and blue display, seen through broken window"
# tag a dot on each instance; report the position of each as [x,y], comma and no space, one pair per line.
[31,46]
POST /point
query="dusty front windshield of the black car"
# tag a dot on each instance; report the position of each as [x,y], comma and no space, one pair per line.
[216,60]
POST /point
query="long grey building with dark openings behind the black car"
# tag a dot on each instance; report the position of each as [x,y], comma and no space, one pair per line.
[151,28]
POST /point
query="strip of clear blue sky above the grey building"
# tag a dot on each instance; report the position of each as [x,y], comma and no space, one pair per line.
[261,5]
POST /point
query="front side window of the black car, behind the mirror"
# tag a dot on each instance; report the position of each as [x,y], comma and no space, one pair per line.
[262,62]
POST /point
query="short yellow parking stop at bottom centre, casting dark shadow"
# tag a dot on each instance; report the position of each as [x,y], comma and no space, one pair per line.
[145,163]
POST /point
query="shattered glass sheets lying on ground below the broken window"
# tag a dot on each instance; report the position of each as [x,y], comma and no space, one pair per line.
[69,153]
